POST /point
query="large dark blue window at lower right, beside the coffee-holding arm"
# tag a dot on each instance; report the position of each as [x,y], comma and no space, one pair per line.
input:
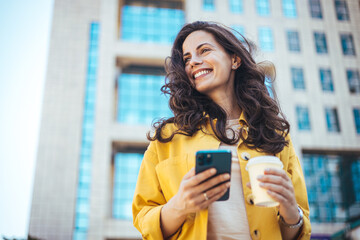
[333,186]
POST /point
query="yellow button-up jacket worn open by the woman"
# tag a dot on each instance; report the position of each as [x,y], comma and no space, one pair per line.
[164,166]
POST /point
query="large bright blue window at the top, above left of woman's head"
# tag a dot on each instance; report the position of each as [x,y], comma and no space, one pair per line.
[149,24]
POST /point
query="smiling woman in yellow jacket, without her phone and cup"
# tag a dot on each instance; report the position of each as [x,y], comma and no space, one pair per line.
[219,100]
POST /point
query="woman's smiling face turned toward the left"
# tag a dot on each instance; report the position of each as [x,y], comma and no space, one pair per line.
[207,64]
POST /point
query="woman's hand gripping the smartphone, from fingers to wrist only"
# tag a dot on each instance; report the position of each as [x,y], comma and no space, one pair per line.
[194,194]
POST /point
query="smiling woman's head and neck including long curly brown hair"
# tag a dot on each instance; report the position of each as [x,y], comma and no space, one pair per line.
[235,84]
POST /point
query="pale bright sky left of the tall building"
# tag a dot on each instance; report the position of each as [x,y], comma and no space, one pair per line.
[24,42]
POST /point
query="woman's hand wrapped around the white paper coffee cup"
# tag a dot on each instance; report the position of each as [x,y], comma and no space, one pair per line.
[280,188]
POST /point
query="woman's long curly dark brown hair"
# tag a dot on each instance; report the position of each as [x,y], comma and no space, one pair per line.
[267,126]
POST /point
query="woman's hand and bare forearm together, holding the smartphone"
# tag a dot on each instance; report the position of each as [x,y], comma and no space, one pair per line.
[194,195]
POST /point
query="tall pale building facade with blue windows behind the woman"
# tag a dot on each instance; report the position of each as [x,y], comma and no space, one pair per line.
[102,92]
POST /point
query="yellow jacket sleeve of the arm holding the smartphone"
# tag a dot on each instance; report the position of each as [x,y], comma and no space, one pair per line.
[148,198]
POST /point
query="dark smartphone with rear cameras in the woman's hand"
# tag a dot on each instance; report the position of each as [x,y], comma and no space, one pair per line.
[218,159]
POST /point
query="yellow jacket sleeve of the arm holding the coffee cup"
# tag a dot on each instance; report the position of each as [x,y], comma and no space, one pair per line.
[297,177]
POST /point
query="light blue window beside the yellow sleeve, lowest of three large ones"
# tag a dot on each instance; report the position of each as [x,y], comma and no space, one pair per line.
[126,169]
